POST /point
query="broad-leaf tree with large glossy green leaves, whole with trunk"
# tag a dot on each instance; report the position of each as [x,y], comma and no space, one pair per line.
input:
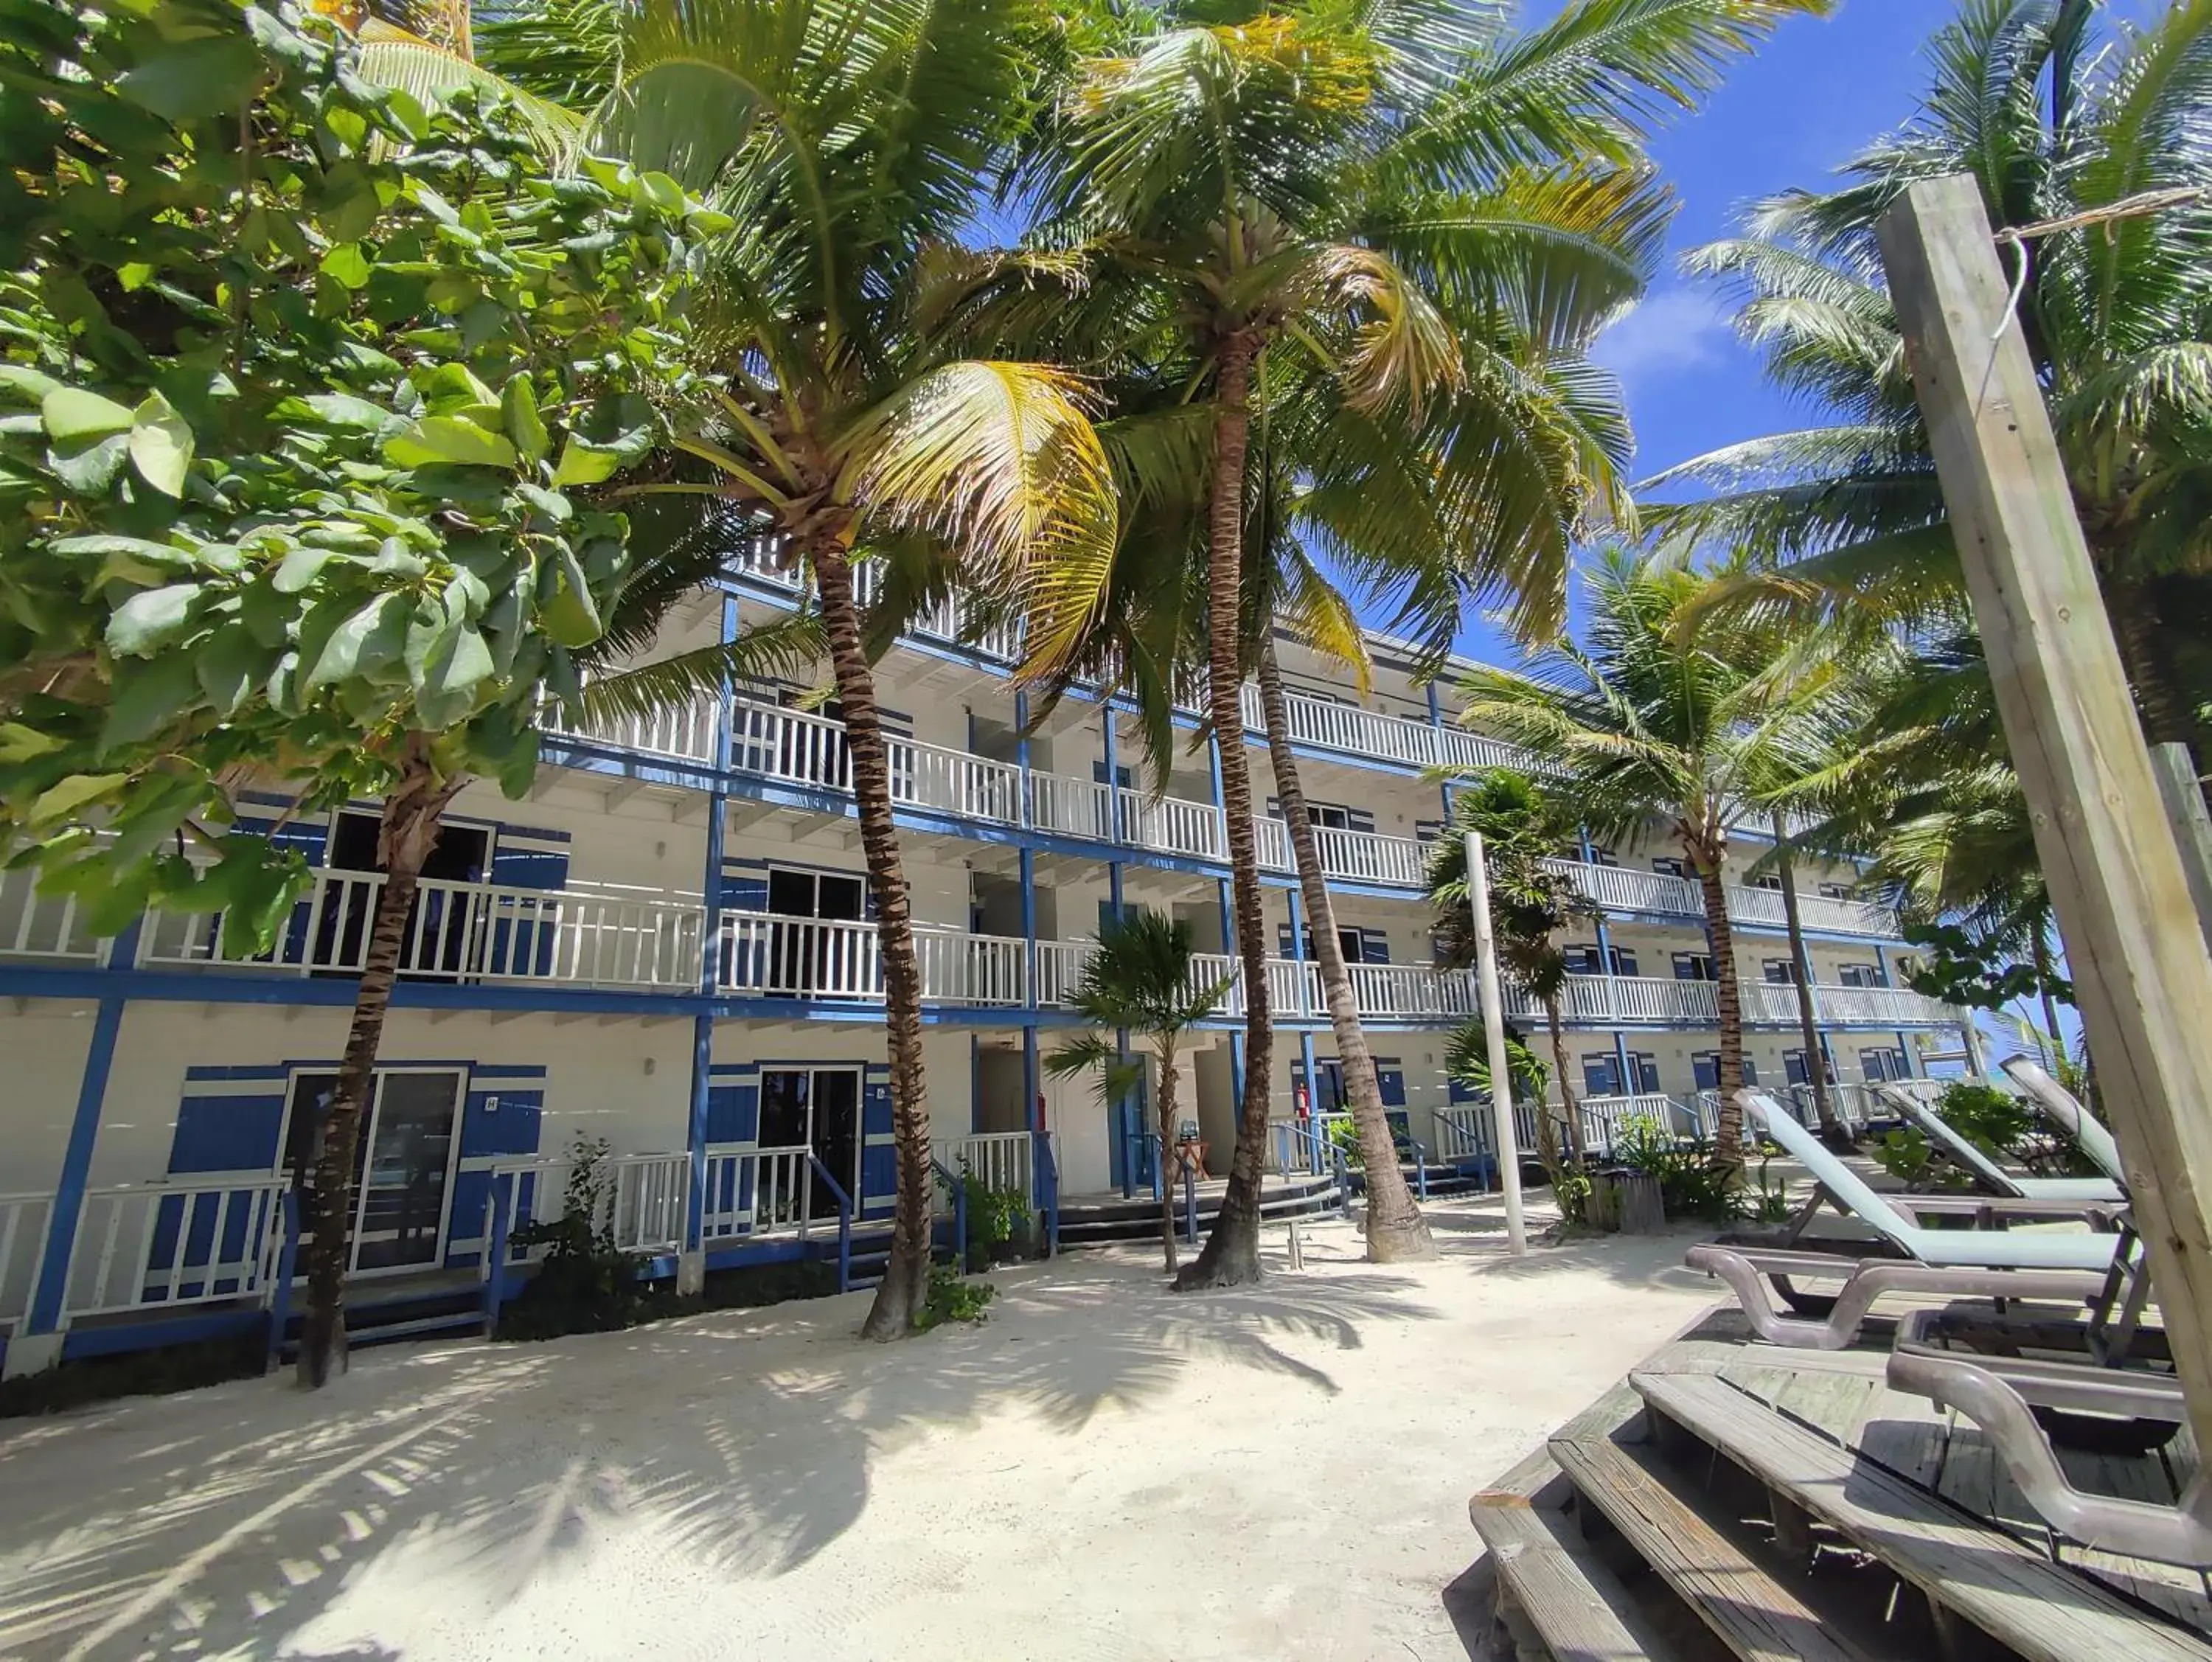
[306,495]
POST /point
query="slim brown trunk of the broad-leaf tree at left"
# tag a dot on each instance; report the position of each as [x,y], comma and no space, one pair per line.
[404,842]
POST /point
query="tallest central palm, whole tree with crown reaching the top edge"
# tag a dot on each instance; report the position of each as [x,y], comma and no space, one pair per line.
[1342,196]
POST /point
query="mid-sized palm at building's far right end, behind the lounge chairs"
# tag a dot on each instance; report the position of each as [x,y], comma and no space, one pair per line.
[1678,714]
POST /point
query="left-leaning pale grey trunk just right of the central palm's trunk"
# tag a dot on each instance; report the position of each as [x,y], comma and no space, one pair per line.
[1395,1225]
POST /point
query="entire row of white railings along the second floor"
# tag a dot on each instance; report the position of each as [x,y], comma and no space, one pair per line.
[505,935]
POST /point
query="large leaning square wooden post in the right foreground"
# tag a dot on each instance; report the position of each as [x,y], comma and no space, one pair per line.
[2145,981]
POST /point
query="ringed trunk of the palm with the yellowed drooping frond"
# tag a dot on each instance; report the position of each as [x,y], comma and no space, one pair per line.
[906,1278]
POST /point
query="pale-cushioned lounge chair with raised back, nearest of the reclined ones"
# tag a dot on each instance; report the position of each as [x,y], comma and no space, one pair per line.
[1987,1265]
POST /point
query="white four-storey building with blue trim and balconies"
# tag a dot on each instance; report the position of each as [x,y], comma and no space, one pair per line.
[669,946]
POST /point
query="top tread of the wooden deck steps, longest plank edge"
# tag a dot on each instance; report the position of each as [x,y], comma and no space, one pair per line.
[2041,1610]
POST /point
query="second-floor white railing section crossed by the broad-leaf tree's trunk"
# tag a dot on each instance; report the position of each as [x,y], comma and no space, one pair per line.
[457,933]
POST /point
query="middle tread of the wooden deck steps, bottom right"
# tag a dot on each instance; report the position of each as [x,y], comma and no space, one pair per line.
[1735,1599]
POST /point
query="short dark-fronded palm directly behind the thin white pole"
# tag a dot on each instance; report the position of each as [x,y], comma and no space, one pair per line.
[1532,904]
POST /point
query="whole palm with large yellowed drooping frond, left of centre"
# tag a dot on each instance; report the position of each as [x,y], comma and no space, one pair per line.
[851,143]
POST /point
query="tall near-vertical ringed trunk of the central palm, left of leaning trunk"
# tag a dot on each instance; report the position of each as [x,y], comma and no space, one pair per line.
[1233,1247]
